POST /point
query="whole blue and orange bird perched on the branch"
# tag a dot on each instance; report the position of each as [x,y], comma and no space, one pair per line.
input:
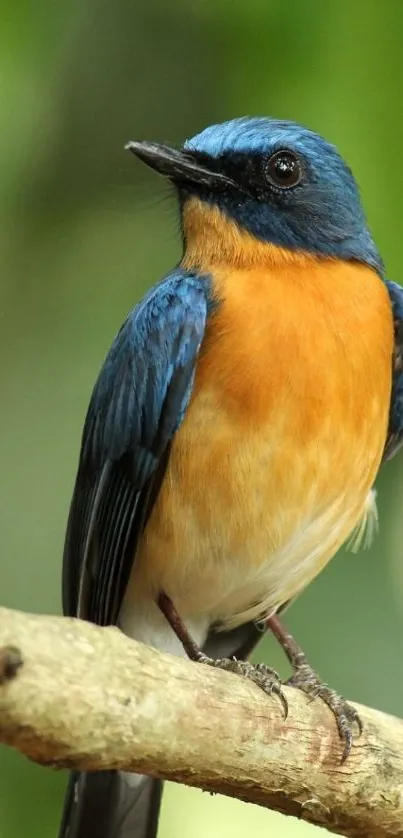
[237,426]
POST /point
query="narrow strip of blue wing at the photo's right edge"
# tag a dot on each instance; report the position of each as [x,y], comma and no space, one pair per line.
[395,430]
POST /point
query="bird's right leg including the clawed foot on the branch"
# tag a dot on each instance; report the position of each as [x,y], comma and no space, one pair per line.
[306,679]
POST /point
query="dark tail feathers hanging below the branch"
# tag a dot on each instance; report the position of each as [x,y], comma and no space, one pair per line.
[105,805]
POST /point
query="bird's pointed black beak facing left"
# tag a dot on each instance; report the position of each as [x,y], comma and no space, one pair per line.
[182,167]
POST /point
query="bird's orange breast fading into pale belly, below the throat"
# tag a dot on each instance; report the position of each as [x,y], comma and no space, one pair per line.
[281,443]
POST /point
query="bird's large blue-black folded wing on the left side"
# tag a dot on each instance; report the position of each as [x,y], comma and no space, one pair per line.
[137,405]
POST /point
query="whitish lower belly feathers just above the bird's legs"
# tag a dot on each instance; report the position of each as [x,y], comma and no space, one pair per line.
[230,593]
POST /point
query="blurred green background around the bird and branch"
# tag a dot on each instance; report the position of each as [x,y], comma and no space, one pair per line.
[85,229]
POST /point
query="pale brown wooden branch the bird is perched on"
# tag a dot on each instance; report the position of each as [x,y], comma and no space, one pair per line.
[76,695]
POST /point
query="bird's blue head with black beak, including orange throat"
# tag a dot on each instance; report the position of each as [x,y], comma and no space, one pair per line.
[260,180]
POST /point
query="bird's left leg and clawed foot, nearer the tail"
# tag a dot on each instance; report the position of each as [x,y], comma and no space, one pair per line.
[267,679]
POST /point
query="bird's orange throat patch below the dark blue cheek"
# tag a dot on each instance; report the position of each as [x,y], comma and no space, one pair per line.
[214,240]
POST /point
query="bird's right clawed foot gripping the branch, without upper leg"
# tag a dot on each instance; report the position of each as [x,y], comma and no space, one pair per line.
[347,718]
